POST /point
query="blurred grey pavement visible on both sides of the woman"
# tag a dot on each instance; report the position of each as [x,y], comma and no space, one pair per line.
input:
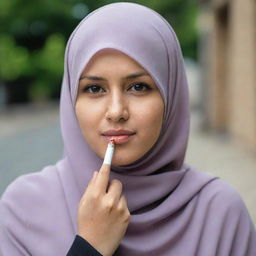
[38,129]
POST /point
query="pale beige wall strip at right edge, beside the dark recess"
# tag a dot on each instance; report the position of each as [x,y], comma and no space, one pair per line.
[242,123]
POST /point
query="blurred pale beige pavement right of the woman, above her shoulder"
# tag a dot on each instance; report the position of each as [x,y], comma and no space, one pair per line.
[216,154]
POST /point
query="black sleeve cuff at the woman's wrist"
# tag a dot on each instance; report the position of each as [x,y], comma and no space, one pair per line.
[81,247]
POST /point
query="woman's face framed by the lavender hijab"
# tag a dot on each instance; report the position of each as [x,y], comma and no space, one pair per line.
[117,99]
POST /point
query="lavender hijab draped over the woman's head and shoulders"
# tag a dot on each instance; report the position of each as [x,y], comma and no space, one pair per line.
[175,210]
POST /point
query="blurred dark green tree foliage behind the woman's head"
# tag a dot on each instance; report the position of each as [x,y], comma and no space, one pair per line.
[33,35]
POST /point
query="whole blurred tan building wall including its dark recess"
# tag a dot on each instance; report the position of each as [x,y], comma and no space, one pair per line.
[232,68]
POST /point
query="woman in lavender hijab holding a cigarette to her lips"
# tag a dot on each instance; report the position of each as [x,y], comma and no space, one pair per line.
[124,79]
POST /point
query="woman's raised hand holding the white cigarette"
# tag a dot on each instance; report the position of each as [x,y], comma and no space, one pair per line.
[103,215]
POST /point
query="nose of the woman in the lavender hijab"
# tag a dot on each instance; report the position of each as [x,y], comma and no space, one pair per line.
[117,109]
